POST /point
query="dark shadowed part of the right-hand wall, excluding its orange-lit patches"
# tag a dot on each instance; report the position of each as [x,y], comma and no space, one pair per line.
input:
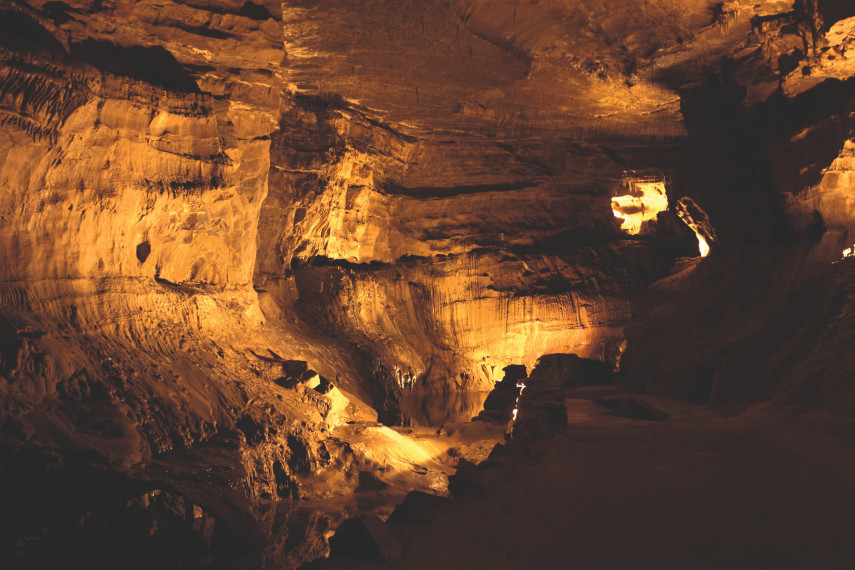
[732,328]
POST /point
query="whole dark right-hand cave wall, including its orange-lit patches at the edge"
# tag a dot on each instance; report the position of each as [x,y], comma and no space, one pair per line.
[761,318]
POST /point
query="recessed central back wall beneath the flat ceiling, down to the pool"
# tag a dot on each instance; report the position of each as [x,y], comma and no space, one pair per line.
[416,250]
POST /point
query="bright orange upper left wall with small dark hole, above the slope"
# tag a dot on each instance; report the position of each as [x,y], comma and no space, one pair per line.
[114,176]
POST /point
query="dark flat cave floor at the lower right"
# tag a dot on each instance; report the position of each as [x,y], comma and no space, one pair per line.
[698,491]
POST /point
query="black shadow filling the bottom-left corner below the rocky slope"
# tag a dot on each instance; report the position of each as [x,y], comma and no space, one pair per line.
[61,511]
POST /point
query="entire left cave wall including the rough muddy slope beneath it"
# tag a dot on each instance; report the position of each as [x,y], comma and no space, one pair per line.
[135,154]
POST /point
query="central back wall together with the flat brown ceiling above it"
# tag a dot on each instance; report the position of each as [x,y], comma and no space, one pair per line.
[452,199]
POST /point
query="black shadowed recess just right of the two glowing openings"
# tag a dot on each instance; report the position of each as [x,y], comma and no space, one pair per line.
[743,159]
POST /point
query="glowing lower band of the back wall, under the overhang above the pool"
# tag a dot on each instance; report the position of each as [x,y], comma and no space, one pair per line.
[458,321]
